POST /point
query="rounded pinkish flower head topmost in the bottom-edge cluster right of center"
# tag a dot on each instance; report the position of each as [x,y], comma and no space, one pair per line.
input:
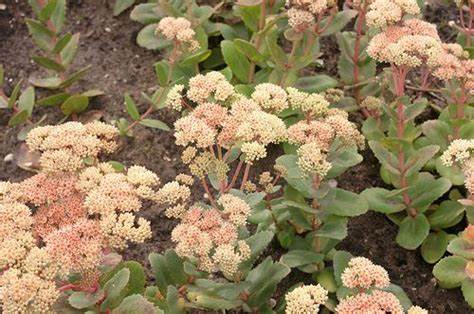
[362,273]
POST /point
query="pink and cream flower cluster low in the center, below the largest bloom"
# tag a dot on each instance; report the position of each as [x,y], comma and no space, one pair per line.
[211,236]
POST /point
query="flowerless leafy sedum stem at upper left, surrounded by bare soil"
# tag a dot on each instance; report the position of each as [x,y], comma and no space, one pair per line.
[59,49]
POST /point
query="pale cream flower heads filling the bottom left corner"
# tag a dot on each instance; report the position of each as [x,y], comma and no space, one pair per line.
[27,284]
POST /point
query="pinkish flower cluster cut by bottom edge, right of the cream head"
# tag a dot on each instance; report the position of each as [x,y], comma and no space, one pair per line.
[366,278]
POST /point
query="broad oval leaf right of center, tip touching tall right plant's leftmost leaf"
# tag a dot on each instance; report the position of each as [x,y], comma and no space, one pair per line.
[343,203]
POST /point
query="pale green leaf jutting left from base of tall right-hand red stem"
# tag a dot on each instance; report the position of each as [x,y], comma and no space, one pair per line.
[381,200]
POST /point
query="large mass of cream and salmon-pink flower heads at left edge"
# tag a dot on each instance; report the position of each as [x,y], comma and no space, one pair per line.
[62,220]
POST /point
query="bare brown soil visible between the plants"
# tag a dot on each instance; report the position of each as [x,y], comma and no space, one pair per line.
[119,66]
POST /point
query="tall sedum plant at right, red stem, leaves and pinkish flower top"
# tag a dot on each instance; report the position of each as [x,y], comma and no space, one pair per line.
[409,44]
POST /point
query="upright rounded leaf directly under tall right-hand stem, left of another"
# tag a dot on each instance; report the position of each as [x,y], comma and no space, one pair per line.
[413,231]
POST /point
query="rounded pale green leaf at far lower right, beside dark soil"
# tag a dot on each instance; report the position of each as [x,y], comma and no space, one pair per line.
[450,271]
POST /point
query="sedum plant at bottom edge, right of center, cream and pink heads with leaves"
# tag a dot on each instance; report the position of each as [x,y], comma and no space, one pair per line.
[363,287]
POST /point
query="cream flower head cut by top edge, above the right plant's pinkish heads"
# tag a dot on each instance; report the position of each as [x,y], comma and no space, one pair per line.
[383,13]
